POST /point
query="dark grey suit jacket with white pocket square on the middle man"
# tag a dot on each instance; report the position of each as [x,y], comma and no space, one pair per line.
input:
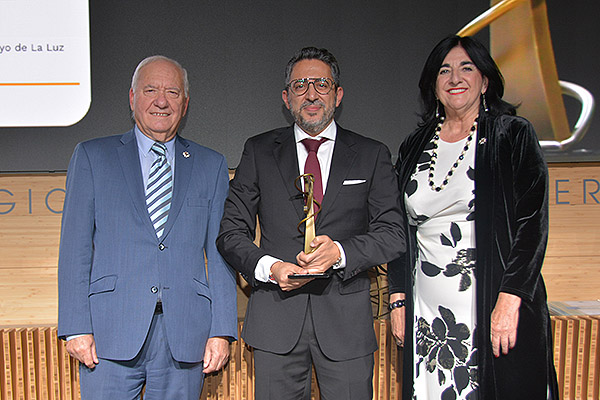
[364,217]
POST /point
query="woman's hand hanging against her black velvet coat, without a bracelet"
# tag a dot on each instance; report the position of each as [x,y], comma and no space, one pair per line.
[504,322]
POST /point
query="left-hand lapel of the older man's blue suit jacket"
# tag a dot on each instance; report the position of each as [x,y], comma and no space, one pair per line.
[130,165]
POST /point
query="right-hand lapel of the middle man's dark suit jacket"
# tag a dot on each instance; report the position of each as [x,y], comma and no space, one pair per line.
[341,162]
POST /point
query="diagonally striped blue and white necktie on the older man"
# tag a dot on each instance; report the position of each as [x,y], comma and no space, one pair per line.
[159,189]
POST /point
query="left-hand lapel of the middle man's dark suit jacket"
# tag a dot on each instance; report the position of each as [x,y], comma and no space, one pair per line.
[286,160]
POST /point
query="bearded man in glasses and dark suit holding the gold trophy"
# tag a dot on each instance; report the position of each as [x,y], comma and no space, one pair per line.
[292,323]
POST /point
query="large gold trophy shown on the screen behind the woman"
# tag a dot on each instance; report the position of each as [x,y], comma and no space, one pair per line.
[521,45]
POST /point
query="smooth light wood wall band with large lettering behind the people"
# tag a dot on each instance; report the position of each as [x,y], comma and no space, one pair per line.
[30,207]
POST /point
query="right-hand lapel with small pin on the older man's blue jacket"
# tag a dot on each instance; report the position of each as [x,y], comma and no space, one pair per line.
[184,161]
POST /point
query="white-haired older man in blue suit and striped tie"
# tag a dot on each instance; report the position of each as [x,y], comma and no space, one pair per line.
[137,305]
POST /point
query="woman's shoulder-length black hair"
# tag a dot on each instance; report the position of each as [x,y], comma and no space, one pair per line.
[482,60]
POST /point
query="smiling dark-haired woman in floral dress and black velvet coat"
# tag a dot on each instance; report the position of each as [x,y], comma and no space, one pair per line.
[467,299]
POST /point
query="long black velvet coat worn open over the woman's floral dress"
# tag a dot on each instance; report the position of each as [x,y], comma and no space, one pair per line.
[511,231]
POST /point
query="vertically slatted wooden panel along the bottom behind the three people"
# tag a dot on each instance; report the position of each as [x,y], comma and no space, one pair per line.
[34,365]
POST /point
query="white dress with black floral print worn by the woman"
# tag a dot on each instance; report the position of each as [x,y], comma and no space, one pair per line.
[444,282]
